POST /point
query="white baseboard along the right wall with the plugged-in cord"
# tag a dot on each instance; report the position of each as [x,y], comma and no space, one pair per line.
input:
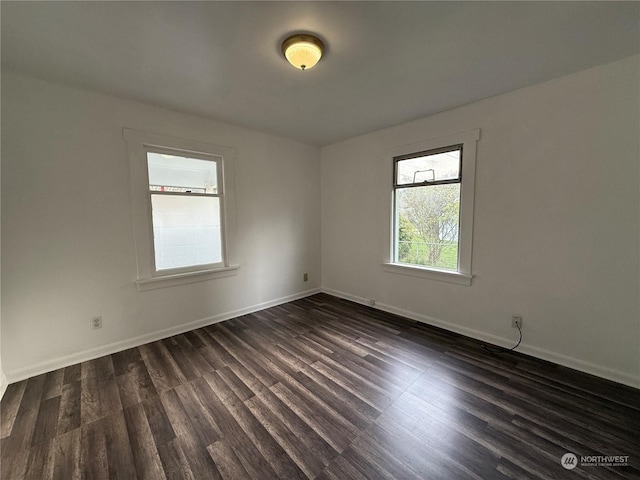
[534,351]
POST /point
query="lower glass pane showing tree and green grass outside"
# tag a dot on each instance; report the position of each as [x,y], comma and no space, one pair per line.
[427,225]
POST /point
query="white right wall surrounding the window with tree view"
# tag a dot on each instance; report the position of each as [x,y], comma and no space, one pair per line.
[557,214]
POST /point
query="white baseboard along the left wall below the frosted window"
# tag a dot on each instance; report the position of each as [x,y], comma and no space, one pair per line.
[90,354]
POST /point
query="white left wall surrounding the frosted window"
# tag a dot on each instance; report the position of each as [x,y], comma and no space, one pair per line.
[67,239]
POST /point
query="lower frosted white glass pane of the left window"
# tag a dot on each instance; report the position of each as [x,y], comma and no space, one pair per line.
[186,231]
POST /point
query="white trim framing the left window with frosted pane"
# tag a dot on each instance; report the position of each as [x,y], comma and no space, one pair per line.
[138,143]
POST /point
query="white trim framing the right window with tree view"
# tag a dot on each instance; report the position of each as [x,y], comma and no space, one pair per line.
[463,276]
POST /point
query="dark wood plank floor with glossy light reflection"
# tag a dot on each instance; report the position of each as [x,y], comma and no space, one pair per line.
[317,388]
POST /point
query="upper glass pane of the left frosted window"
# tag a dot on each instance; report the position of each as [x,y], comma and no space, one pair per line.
[172,173]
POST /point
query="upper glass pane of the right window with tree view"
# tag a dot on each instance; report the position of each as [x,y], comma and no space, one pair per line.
[429,168]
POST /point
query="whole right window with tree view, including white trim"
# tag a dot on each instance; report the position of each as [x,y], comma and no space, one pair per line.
[432,208]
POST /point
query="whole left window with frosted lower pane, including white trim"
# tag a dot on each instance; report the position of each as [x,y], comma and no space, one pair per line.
[183,209]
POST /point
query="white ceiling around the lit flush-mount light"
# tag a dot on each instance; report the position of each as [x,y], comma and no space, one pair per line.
[386,62]
